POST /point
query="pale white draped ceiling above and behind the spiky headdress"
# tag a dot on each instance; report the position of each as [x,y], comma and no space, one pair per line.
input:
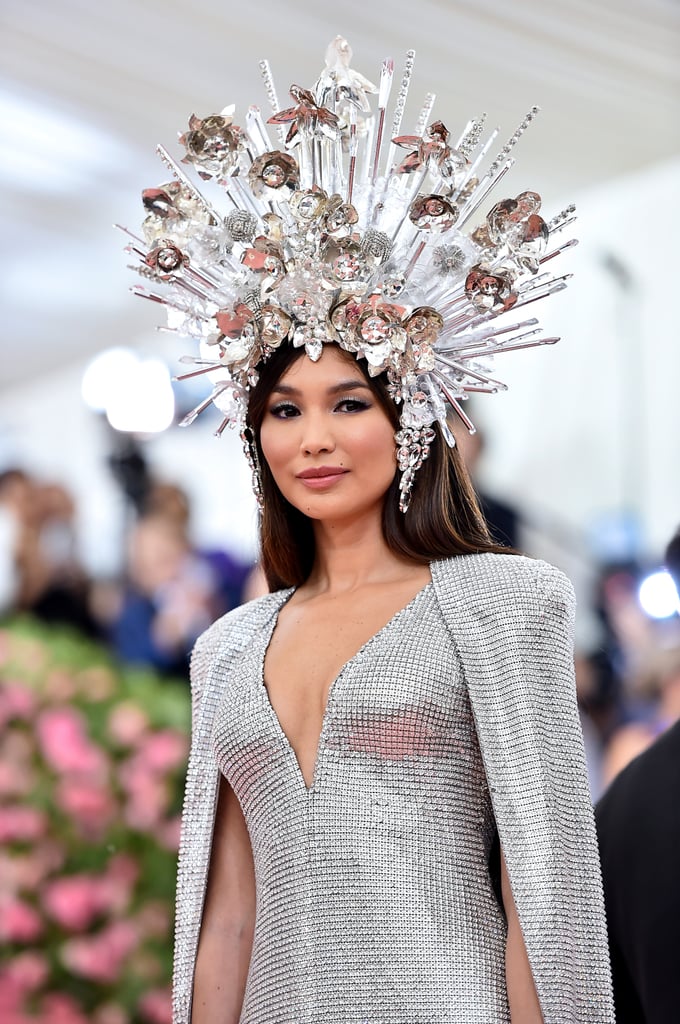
[89,89]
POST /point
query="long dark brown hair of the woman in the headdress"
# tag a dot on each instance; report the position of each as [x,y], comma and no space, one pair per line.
[444,519]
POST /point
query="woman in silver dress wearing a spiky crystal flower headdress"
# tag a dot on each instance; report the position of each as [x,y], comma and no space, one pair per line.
[388,817]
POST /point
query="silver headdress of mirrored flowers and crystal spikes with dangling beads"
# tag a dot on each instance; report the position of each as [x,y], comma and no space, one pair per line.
[331,236]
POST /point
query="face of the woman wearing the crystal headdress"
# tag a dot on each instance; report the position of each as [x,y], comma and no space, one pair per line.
[327,440]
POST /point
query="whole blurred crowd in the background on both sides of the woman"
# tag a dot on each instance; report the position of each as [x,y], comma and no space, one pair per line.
[172,589]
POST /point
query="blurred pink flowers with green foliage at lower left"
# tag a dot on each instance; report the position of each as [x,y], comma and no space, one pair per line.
[92,774]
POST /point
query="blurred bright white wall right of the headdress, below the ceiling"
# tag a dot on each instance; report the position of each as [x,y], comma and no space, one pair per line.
[591,426]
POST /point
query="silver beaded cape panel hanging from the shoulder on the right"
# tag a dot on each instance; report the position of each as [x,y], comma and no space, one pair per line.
[513,622]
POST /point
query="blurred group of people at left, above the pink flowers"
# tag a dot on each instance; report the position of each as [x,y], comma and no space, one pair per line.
[169,589]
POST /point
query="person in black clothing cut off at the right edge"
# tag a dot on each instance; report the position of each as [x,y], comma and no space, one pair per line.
[639,824]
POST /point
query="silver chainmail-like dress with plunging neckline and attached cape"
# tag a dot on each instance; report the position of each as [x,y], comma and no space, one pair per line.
[375,903]
